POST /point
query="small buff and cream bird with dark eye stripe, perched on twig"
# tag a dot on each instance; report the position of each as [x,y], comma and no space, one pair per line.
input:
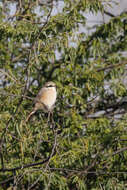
[45,99]
